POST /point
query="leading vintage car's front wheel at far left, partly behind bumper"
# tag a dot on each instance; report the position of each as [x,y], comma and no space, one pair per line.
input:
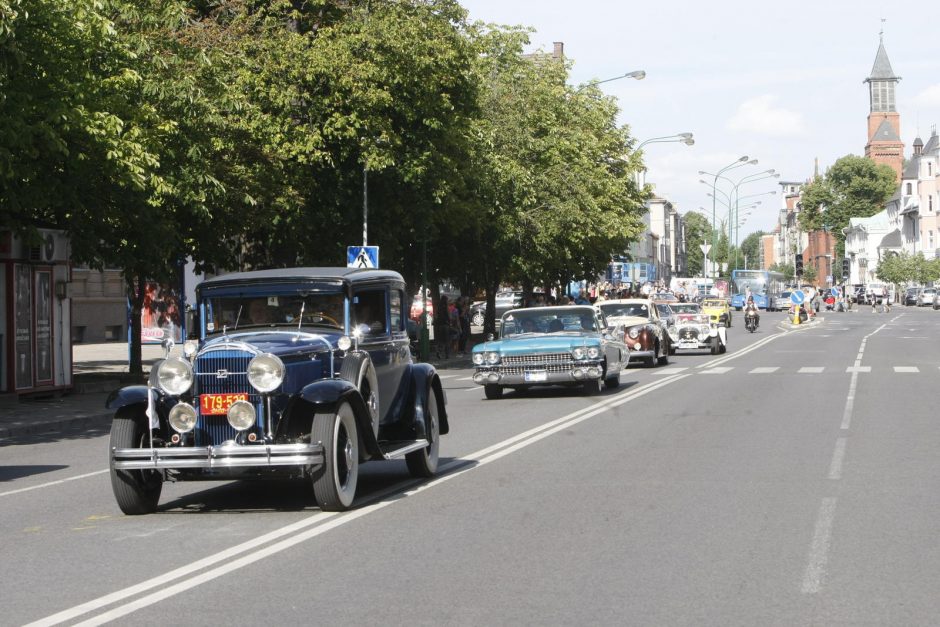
[136,491]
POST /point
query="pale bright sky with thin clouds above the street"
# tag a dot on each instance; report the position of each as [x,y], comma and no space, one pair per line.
[782,83]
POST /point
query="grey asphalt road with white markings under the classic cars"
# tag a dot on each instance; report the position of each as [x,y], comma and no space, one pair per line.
[792,481]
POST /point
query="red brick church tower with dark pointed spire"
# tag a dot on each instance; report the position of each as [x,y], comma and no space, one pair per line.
[884,124]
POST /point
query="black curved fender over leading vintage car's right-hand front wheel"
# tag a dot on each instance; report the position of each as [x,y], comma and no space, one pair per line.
[323,396]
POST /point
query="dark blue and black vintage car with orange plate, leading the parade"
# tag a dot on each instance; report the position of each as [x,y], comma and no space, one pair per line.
[297,373]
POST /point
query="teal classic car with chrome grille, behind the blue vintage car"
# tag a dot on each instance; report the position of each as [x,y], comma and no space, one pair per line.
[539,346]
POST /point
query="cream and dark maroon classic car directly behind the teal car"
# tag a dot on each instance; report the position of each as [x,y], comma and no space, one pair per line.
[645,330]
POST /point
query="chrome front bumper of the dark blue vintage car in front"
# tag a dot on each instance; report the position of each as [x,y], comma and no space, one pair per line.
[226,456]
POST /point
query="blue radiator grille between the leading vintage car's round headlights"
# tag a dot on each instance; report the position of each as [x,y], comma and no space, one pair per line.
[223,371]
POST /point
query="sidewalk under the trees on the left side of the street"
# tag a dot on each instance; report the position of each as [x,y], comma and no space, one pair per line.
[98,370]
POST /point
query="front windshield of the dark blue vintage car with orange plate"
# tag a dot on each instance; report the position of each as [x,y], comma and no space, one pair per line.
[233,312]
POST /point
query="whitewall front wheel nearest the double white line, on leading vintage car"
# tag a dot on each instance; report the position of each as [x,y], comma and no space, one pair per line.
[334,483]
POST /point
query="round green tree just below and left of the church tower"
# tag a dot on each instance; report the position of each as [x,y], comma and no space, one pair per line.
[854,187]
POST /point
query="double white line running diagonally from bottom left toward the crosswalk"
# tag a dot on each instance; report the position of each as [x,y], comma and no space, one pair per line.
[373,503]
